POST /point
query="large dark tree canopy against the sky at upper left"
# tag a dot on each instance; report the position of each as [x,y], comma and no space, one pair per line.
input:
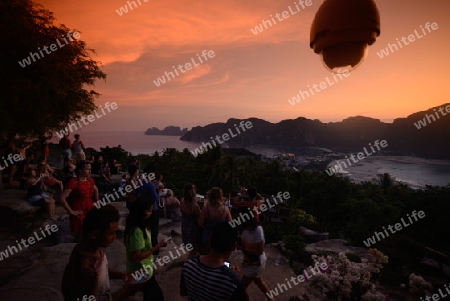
[50,91]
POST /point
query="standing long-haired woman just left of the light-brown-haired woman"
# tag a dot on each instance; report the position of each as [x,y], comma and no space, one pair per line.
[190,212]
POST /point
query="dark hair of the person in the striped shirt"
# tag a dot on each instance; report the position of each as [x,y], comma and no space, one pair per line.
[223,237]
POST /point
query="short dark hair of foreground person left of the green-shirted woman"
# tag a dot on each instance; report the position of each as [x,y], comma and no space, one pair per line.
[100,219]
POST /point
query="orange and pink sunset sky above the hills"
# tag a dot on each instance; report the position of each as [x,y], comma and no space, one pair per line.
[251,75]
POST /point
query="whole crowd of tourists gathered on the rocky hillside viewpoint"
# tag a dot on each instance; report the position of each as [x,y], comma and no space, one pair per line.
[205,227]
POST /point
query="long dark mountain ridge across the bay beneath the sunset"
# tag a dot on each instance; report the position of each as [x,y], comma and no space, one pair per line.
[350,135]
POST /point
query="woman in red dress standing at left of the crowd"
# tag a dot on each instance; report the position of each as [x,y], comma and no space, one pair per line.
[81,189]
